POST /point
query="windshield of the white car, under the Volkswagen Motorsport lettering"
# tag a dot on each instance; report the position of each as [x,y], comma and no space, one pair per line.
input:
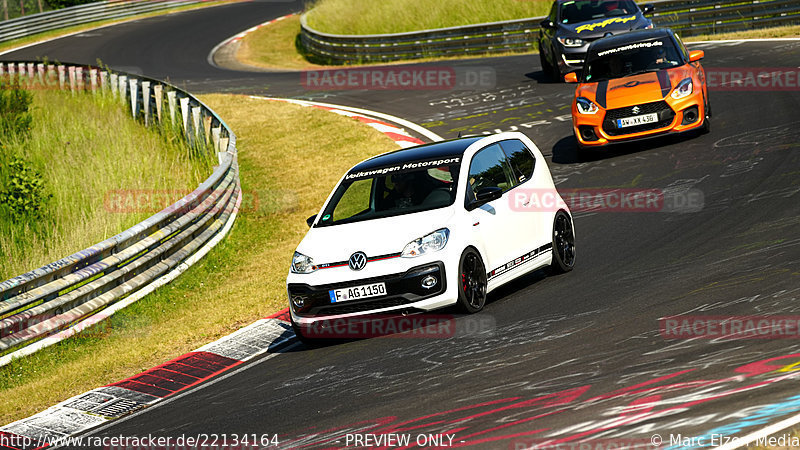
[392,191]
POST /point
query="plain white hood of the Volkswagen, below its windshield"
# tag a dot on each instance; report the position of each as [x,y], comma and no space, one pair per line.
[377,237]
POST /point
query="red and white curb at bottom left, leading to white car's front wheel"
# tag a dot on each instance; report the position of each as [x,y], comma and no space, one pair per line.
[94,408]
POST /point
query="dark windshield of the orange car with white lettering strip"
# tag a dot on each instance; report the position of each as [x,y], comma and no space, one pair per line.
[631,59]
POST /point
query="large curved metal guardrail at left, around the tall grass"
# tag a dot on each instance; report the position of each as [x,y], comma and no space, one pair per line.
[54,297]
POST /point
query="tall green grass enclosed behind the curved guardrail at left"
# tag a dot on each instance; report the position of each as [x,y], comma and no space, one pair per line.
[84,147]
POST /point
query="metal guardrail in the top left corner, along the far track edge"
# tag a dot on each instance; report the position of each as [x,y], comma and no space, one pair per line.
[82,14]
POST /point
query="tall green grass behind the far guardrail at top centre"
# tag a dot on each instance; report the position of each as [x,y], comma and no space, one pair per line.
[396,16]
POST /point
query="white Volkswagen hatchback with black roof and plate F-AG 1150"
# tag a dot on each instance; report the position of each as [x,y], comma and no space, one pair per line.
[429,226]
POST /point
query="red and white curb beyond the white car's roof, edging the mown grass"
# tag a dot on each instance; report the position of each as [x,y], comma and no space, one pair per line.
[391,126]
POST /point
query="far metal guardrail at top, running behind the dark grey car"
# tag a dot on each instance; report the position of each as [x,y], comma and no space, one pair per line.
[687,17]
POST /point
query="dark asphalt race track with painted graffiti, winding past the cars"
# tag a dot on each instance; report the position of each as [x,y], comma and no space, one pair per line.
[559,358]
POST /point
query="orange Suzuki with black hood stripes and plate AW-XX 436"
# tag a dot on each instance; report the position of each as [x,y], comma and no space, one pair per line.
[638,85]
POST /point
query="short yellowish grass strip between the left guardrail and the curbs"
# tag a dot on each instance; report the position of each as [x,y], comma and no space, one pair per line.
[240,280]
